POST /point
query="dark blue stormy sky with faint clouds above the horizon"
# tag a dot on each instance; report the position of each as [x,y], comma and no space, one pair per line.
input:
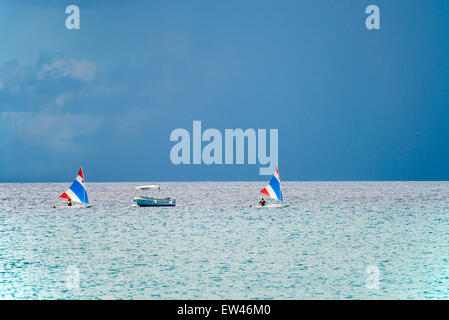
[349,103]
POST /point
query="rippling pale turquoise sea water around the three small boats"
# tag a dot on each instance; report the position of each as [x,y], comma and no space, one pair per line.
[336,240]
